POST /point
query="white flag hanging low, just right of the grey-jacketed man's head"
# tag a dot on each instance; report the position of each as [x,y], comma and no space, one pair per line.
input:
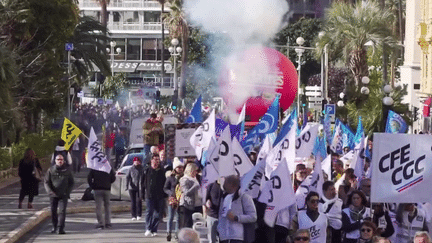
[277,193]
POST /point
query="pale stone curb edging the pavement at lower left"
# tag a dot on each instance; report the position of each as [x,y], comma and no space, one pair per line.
[43,214]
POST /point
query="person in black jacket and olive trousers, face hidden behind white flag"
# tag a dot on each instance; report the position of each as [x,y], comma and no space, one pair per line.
[100,182]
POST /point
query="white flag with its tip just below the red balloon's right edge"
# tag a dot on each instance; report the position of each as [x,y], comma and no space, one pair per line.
[284,149]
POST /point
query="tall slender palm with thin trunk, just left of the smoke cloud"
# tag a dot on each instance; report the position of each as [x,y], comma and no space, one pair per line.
[179,28]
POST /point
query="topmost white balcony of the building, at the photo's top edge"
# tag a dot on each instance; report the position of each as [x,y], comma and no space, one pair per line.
[122,4]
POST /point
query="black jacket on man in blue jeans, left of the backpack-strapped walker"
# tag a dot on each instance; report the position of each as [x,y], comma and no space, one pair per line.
[154,181]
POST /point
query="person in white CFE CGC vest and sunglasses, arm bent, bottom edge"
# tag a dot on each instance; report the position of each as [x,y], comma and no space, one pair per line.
[312,219]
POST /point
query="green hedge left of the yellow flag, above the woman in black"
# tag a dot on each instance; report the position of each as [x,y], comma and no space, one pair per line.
[42,145]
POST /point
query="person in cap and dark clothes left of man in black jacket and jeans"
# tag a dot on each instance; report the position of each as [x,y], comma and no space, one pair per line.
[133,185]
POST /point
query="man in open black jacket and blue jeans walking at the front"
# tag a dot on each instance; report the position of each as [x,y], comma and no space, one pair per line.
[154,181]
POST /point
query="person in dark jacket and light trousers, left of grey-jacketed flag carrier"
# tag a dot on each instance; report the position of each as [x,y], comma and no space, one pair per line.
[213,196]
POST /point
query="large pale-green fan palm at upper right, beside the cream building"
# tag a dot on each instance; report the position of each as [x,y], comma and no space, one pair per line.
[349,27]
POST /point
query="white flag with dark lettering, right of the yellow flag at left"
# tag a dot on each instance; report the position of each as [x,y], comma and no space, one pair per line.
[96,159]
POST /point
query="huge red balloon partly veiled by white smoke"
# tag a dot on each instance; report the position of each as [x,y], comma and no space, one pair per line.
[255,77]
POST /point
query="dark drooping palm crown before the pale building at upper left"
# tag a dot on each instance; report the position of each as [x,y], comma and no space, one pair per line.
[89,48]
